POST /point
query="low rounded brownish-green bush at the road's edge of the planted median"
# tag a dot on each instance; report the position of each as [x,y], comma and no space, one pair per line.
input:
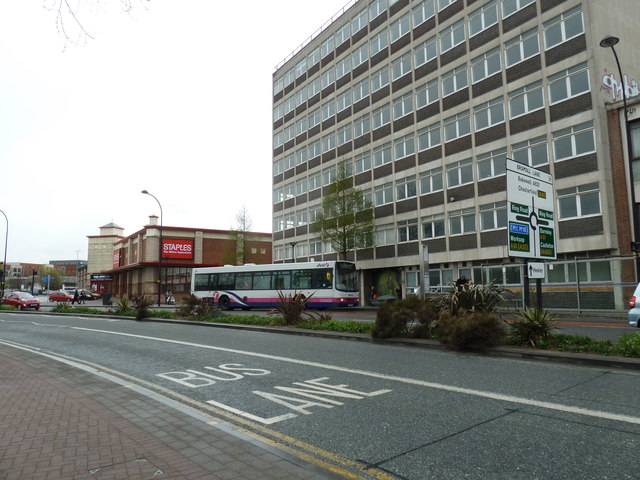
[470,329]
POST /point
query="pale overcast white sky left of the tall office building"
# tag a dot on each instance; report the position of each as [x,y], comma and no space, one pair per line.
[173,97]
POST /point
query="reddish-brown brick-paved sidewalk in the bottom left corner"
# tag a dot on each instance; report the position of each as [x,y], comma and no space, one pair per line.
[58,422]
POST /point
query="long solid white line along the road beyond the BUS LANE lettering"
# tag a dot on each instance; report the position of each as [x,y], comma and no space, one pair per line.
[393,378]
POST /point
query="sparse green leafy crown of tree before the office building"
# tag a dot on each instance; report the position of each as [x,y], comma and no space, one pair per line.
[346,220]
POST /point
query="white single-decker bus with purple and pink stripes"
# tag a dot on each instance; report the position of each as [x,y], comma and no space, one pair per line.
[329,284]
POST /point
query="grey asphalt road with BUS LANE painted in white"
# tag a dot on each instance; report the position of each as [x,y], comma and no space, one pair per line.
[380,411]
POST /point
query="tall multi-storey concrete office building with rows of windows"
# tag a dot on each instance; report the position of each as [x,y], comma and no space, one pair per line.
[426,99]
